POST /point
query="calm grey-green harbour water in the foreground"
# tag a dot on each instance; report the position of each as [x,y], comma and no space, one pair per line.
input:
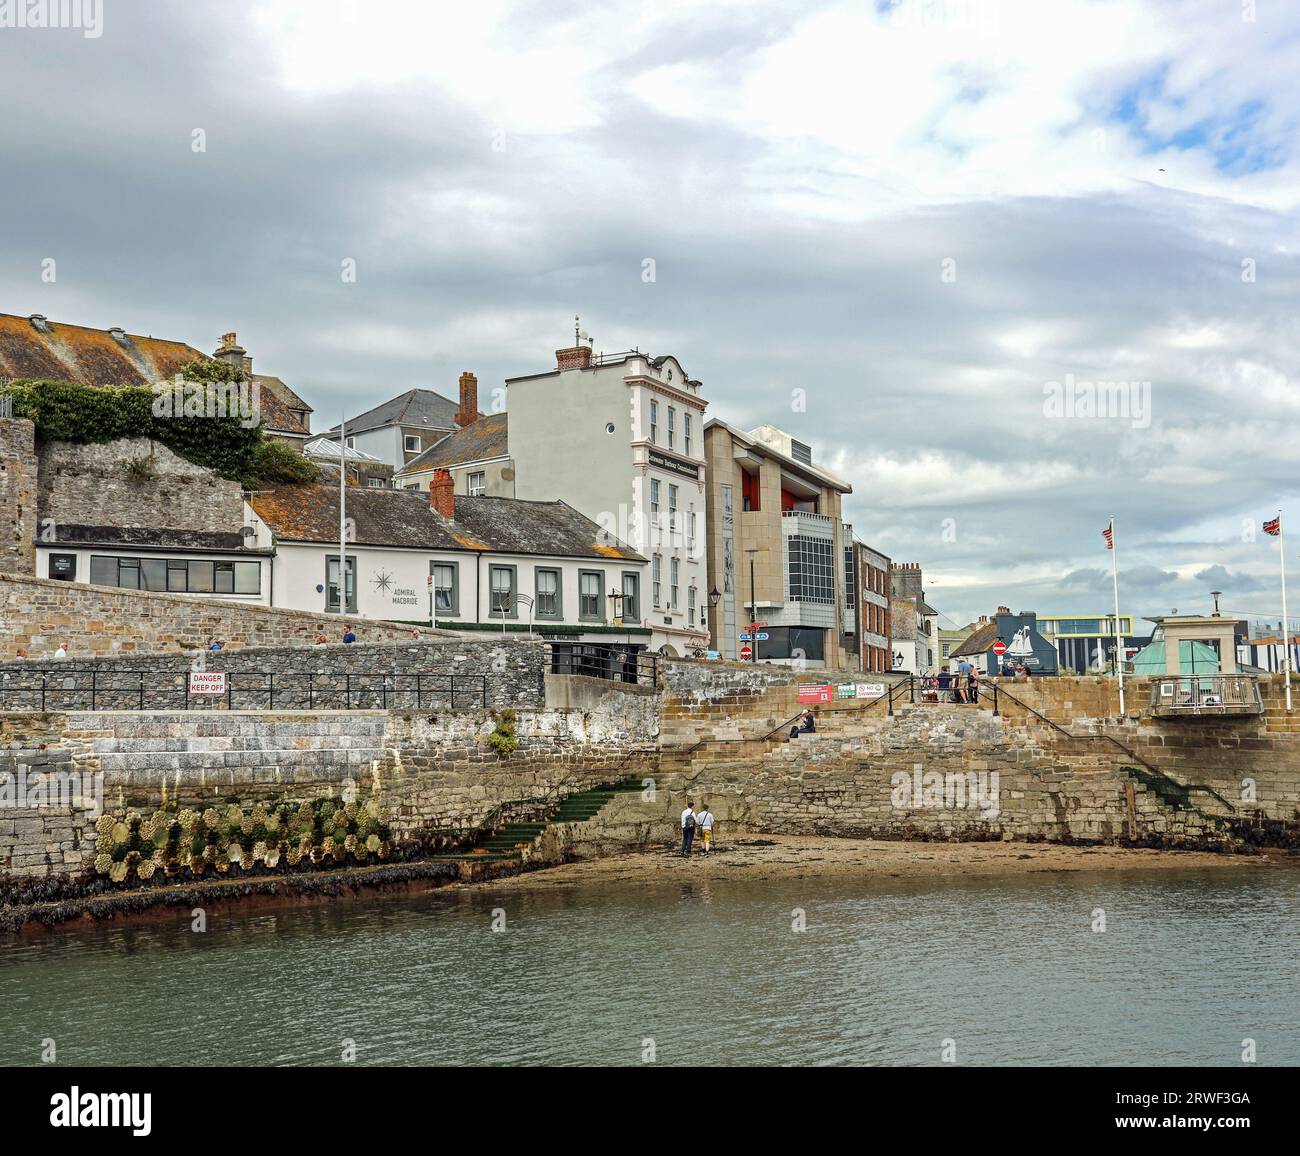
[1189,967]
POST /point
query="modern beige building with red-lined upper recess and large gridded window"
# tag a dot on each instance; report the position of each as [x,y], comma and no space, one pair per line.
[778,549]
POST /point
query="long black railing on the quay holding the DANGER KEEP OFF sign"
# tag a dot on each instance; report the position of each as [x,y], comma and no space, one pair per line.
[81,689]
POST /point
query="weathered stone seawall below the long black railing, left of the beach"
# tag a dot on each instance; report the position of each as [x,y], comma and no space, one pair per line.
[432,777]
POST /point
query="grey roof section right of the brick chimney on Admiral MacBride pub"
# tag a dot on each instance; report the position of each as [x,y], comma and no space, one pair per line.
[514,526]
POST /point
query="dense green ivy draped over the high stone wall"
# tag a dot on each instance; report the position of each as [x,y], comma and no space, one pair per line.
[209,430]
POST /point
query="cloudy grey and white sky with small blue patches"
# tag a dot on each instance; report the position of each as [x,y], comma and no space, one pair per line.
[903,232]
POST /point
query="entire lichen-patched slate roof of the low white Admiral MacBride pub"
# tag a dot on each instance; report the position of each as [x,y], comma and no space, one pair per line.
[405,519]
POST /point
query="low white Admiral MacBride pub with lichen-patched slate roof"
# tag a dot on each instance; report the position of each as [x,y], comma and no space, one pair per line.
[499,562]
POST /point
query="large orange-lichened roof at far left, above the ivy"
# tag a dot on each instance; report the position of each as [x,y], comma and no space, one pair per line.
[90,357]
